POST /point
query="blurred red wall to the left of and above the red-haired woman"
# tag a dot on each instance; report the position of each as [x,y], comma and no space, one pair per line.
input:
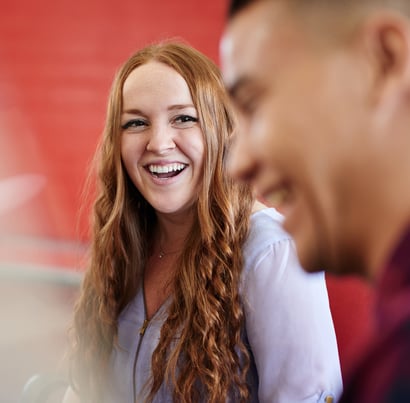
[57,60]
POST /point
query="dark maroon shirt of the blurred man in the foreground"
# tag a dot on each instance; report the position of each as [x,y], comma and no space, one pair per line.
[383,375]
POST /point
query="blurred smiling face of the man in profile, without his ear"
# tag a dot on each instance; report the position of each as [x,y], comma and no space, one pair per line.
[301,108]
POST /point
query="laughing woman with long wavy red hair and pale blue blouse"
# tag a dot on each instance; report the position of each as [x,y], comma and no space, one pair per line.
[181,272]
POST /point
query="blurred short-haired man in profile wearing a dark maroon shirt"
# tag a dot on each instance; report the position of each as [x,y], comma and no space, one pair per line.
[323,94]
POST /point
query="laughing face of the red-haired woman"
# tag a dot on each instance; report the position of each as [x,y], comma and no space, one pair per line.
[162,145]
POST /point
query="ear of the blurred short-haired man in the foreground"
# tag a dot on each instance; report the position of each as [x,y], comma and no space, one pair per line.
[386,37]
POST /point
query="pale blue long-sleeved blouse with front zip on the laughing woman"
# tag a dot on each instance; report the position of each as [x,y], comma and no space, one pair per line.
[288,326]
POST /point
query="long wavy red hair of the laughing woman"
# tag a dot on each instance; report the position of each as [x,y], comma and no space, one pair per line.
[209,357]
